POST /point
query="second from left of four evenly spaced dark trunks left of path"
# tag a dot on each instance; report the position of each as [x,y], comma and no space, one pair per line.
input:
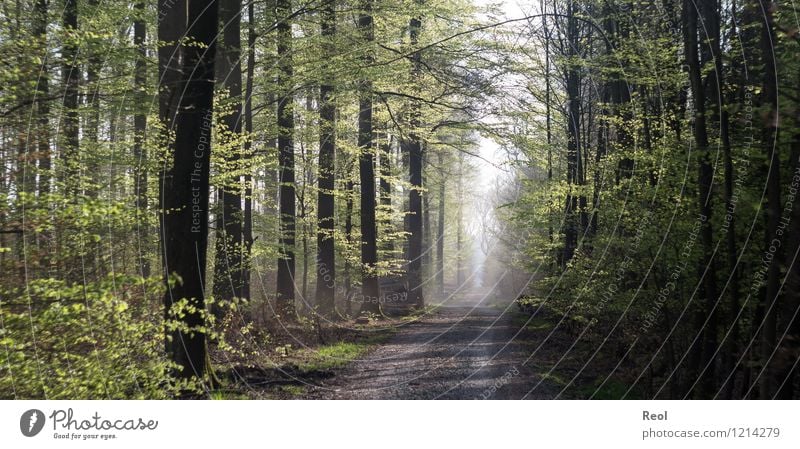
[326,256]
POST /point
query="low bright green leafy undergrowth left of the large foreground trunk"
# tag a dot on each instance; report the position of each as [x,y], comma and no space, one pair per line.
[94,340]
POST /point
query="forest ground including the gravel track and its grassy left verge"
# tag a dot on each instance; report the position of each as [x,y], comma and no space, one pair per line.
[470,346]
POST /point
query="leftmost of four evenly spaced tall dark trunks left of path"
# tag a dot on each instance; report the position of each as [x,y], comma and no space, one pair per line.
[286,243]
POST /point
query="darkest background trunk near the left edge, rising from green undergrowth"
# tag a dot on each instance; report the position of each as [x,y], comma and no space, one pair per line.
[71,78]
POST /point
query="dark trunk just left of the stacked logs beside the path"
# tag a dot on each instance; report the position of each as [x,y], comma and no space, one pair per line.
[370,289]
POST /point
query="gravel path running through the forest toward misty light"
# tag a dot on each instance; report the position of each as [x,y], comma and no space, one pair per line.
[468,348]
